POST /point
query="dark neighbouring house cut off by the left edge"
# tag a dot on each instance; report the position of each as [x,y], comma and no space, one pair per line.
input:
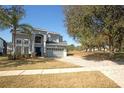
[3,47]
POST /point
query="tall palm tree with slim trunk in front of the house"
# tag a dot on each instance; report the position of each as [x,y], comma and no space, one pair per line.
[10,17]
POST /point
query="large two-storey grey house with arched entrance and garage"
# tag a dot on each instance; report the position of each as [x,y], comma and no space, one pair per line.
[42,43]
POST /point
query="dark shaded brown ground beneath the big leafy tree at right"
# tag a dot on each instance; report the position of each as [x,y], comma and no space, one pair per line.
[99,57]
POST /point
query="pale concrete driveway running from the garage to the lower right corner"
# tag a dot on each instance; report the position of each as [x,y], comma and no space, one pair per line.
[109,68]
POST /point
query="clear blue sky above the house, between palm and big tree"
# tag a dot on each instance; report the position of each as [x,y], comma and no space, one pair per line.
[50,18]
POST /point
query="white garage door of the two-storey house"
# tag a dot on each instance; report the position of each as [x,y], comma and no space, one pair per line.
[55,52]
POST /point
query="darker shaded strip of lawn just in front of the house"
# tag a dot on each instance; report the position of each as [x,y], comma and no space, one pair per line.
[15,63]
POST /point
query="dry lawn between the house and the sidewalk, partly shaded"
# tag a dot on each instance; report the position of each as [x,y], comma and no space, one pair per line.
[37,63]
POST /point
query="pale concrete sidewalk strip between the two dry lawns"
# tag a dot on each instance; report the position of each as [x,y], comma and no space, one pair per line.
[43,71]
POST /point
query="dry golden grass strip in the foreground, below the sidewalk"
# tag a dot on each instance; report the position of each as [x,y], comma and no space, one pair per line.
[66,80]
